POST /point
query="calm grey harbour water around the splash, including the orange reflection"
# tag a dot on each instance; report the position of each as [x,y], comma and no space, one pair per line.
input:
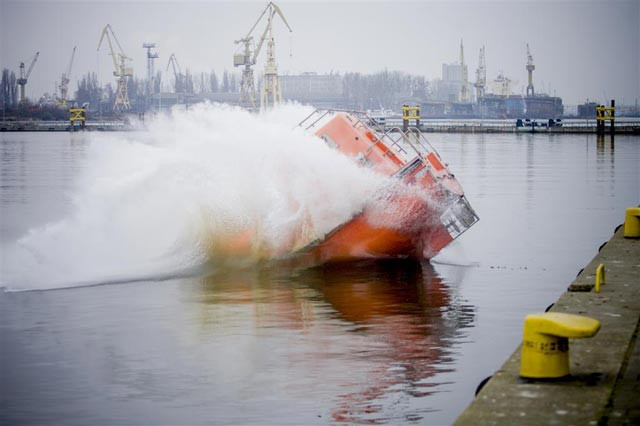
[369,342]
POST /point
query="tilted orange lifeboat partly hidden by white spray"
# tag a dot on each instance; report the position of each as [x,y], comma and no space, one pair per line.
[423,212]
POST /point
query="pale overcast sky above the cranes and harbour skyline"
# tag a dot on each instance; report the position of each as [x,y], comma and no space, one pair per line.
[581,49]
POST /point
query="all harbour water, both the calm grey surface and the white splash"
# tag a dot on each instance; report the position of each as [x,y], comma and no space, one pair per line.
[122,306]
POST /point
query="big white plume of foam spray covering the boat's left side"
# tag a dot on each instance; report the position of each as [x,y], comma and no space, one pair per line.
[211,184]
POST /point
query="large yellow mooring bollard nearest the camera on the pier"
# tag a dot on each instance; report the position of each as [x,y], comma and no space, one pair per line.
[545,345]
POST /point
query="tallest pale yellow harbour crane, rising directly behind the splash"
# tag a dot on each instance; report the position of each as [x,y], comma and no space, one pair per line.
[270,84]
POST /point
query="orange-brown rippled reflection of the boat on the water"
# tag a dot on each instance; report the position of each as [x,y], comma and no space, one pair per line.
[394,322]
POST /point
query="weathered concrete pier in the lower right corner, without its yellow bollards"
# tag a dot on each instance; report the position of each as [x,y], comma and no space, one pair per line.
[604,385]
